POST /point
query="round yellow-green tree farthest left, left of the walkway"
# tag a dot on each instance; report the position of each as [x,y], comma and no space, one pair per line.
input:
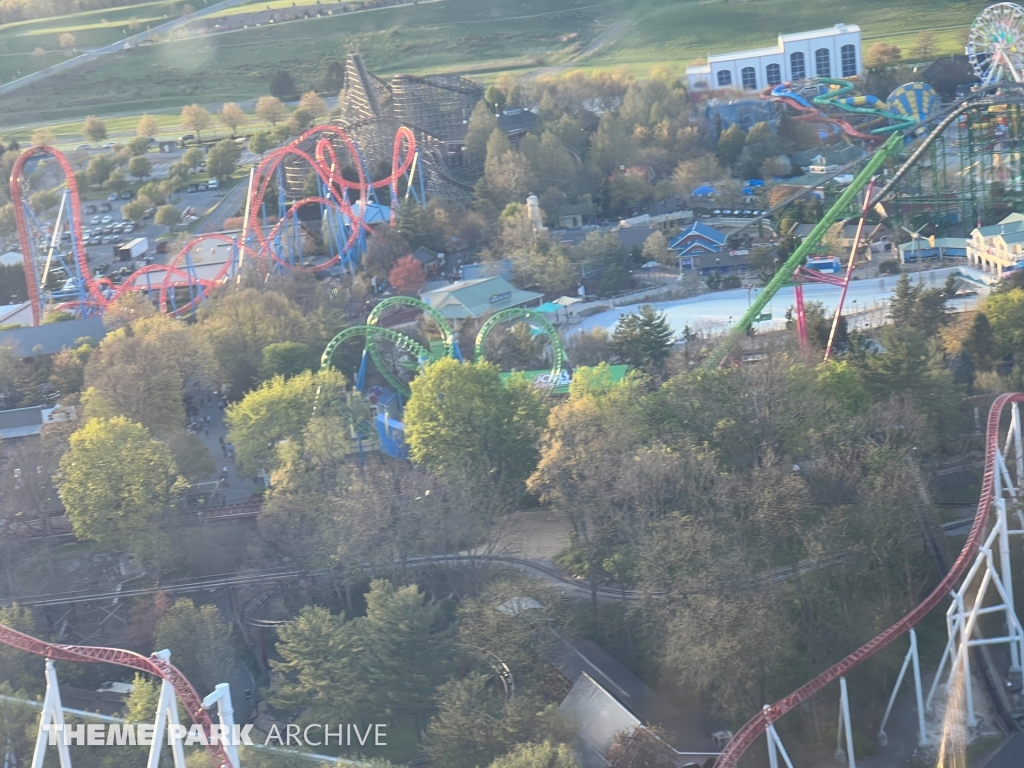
[116,483]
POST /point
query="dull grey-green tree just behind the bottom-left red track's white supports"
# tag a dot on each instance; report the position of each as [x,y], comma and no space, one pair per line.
[200,642]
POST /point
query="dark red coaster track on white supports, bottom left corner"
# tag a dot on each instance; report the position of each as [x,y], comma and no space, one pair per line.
[151,665]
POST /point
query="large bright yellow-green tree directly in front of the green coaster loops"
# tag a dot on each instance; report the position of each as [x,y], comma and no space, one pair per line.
[463,419]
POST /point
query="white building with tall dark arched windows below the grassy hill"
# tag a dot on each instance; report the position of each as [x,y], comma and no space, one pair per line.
[832,54]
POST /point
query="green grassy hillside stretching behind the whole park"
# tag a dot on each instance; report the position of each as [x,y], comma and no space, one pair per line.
[480,38]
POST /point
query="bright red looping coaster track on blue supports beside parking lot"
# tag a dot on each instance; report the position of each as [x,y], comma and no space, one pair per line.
[324,161]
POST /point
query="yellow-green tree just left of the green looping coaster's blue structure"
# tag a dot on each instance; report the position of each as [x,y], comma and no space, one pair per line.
[279,410]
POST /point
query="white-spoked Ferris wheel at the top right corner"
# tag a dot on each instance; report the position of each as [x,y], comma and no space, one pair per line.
[996,45]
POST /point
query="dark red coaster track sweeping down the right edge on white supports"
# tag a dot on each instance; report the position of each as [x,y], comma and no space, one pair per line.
[756,727]
